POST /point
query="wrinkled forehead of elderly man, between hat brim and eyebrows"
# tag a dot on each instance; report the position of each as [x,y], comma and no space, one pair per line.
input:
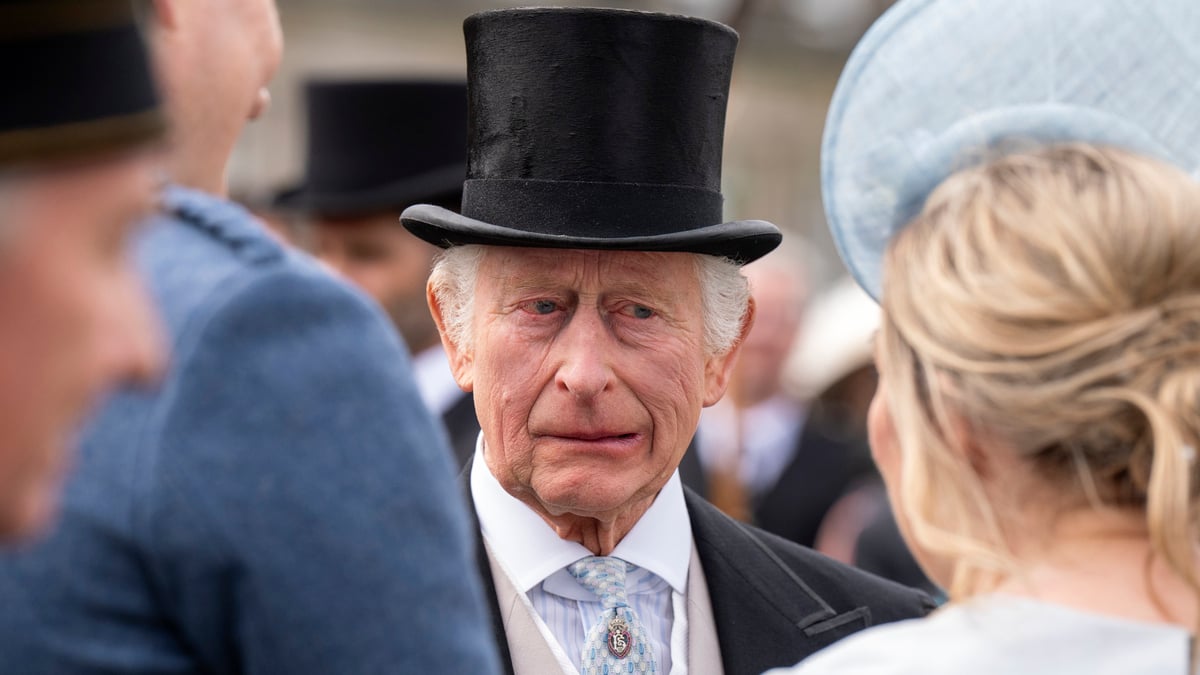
[515,267]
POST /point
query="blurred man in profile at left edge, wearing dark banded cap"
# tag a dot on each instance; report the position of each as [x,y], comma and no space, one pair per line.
[75,174]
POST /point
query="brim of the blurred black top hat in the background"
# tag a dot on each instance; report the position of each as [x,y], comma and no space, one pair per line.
[395,196]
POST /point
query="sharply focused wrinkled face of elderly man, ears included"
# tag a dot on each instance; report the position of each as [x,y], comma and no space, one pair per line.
[590,372]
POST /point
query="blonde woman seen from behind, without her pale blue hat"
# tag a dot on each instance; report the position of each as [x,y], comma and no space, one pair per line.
[1036,432]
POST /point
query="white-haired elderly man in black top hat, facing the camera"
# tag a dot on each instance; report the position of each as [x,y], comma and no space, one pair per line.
[591,298]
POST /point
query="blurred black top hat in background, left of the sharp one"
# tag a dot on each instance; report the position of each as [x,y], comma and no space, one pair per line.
[382,146]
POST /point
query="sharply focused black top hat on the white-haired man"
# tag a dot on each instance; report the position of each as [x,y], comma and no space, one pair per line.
[596,129]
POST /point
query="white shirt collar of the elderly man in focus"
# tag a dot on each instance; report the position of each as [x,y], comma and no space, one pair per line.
[531,551]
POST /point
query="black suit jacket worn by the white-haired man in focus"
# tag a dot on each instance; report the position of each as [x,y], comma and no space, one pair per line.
[773,602]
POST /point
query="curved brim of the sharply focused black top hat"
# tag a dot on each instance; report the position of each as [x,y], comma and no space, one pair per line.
[743,241]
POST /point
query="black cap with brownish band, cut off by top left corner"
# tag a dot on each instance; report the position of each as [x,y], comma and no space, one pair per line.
[76,79]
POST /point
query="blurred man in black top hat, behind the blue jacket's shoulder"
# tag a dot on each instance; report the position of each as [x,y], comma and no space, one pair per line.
[375,148]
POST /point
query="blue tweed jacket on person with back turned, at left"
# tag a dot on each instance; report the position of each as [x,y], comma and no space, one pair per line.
[281,504]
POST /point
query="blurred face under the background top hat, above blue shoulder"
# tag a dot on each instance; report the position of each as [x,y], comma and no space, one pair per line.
[392,266]
